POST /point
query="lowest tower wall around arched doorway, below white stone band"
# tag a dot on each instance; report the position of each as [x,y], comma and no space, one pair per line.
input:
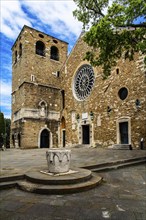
[29,131]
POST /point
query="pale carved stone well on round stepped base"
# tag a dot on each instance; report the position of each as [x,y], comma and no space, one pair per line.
[58,160]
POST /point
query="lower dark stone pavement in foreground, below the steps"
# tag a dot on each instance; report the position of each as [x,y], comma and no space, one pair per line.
[121,196]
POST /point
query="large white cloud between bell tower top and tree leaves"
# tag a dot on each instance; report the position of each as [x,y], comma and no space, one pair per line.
[56,14]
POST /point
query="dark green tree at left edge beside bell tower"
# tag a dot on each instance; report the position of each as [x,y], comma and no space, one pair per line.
[2,130]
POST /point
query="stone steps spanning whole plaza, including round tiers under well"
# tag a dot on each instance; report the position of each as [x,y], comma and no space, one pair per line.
[82,180]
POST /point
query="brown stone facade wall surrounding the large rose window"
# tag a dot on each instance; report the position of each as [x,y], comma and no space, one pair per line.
[105,126]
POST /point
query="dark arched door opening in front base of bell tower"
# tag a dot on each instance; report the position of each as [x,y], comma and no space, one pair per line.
[45,139]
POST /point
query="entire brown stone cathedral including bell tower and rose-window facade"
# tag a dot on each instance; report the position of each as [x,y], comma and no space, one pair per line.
[60,100]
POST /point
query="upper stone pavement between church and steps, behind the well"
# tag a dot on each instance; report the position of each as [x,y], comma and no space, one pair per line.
[16,161]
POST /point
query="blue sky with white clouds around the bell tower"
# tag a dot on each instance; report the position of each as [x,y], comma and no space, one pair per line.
[54,17]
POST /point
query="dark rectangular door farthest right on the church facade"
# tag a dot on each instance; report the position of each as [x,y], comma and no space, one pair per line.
[124,132]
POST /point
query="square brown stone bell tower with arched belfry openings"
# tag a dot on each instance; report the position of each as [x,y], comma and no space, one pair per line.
[36,62]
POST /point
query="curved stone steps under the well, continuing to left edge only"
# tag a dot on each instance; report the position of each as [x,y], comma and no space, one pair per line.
[38,182]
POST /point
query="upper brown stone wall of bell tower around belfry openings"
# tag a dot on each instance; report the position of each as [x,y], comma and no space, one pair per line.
[30,63]
